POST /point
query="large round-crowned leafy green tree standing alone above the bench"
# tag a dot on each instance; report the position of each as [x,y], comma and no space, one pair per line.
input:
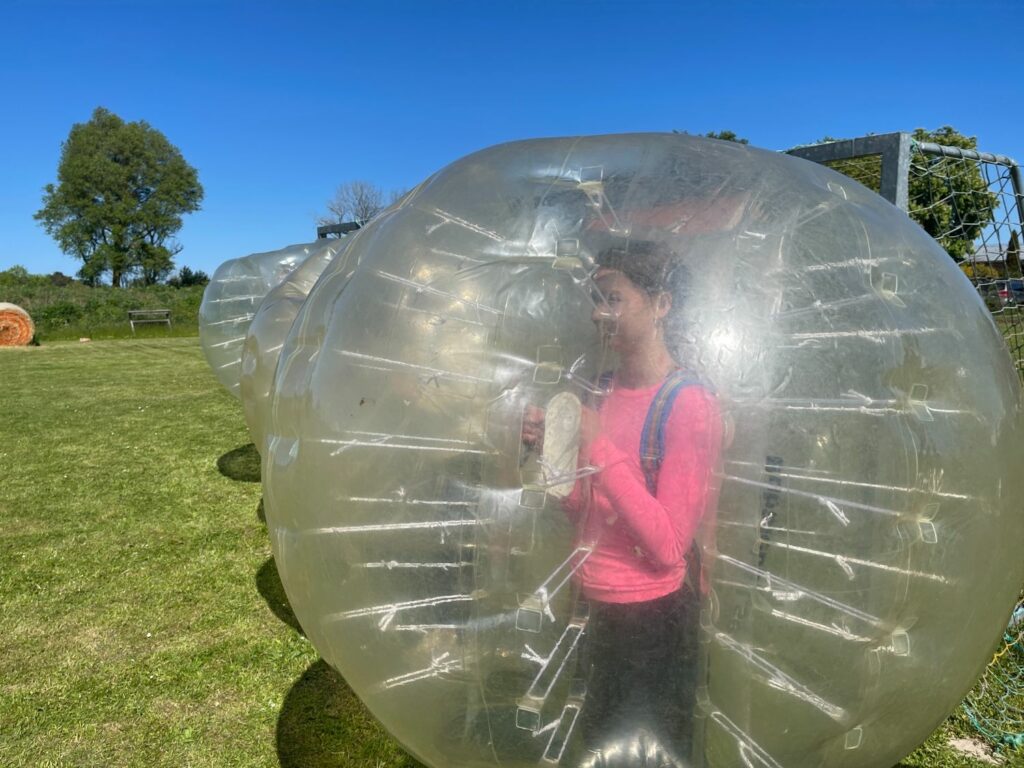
[122,190]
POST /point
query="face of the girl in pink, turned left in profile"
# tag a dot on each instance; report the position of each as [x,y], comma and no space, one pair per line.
[626,316]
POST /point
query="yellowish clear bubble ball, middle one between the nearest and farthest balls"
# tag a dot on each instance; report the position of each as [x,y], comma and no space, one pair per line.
[270,328]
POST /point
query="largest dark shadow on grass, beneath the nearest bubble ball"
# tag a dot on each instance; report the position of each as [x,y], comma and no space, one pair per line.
[323,724]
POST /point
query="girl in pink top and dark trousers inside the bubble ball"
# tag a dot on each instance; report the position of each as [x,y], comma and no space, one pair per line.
[656,440]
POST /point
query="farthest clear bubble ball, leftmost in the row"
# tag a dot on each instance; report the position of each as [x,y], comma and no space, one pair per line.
[231,302]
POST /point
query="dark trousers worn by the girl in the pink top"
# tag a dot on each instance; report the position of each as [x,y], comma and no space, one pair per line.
[641,662]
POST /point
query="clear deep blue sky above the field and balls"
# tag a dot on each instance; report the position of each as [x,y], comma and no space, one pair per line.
[277,104]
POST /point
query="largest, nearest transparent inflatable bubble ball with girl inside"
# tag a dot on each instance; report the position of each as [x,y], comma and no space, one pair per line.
[500,424]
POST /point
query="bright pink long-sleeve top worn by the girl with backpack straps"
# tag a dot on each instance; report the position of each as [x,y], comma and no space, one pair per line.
[641,541]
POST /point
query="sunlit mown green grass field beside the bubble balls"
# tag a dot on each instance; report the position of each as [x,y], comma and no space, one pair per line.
[144,621]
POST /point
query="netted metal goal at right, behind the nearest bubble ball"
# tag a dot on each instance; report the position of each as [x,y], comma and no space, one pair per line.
[972,203]
